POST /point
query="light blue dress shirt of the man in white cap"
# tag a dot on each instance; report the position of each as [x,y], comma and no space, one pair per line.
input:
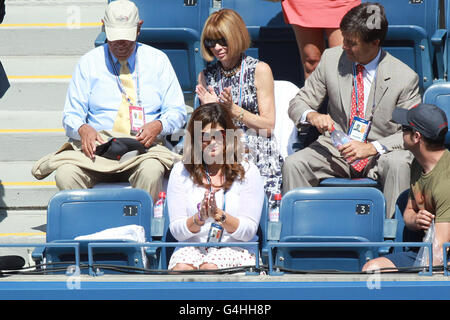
[94,94]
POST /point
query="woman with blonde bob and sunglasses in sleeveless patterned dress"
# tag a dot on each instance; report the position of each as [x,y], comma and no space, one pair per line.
[245,86]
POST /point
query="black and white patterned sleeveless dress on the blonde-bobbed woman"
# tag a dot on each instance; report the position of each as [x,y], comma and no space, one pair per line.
[263,151]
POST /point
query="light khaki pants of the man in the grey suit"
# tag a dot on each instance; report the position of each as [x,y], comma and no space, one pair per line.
[307,167]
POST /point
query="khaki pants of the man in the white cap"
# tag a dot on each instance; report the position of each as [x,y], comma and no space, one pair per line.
[148,175]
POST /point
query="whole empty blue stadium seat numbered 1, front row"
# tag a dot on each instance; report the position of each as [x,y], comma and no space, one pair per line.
[73,213]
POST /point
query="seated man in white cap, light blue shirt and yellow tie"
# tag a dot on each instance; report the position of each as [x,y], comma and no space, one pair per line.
[126,88]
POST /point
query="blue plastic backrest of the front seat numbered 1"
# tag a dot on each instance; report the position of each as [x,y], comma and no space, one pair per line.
[73,213]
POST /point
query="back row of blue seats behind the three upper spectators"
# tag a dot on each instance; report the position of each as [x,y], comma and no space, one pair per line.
[418,36]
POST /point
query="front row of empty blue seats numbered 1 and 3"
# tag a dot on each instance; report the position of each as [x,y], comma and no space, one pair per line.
[306,218]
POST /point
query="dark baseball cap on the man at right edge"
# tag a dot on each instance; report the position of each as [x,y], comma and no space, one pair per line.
[425,118]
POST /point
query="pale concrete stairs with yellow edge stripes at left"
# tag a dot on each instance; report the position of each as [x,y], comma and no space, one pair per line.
[42,40]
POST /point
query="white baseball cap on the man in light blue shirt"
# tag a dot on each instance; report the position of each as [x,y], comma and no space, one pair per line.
[121,20]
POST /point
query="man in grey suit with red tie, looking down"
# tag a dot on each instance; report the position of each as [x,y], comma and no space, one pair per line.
[360,80]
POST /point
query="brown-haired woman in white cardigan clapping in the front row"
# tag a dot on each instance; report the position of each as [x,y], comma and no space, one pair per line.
[213,189]
